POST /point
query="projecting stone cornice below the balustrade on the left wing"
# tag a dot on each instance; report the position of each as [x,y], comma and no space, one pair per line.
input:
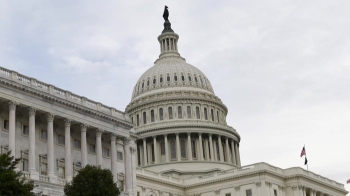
[53,98]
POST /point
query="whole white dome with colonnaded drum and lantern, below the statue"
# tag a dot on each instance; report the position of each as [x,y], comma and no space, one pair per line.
[181,122]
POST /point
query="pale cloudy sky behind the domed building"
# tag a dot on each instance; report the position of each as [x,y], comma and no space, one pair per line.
[281,67]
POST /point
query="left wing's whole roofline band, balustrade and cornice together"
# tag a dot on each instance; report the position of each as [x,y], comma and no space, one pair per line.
[50,93]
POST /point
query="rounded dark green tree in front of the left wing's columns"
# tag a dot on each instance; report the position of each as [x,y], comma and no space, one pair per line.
[92,181]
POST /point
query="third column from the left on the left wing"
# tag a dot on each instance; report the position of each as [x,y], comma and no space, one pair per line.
[50,149]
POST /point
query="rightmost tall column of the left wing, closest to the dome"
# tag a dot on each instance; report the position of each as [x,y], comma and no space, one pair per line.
[128,176]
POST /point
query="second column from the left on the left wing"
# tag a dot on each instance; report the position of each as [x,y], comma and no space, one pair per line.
[31,159]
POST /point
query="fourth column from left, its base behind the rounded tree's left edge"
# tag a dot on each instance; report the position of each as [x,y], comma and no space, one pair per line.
[68,159]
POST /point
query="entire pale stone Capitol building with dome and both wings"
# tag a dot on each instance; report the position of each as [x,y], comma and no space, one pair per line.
[172,139]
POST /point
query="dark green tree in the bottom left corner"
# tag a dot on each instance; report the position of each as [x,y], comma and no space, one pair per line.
[11,181]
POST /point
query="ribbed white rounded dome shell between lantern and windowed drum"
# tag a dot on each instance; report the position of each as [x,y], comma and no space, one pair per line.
[171,73]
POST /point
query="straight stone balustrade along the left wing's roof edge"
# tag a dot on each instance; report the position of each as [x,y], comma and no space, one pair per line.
[63,94]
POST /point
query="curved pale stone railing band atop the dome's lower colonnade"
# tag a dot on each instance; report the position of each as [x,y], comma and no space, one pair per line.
[184,122]
